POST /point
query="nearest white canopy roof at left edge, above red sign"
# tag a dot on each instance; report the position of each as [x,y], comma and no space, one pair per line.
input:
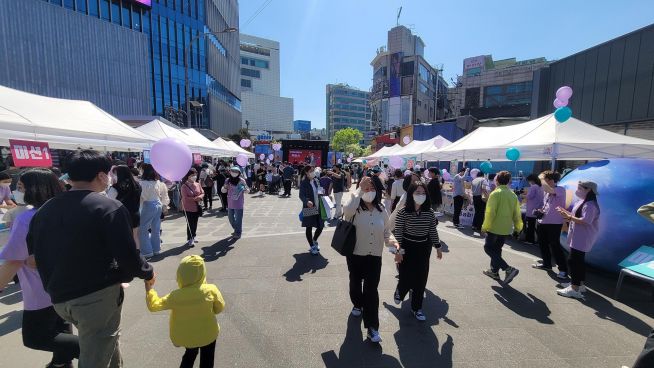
[64,124]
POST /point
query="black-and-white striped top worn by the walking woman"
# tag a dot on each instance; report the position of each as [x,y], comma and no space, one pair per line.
[414,225]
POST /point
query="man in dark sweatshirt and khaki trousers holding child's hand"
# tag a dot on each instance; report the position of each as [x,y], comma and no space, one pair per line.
[84,249]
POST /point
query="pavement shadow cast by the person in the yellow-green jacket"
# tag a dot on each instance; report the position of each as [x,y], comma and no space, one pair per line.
[526,306]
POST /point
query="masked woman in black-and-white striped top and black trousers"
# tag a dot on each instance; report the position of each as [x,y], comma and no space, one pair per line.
[415,231]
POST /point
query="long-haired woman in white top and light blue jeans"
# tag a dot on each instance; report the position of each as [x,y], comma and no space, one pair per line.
[151,208]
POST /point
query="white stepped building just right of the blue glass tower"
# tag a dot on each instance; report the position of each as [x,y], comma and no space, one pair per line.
[263,107]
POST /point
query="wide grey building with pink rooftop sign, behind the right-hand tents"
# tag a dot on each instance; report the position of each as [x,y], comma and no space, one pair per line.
[494,88]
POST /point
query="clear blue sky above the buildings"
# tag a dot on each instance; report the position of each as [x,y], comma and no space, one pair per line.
[332,41]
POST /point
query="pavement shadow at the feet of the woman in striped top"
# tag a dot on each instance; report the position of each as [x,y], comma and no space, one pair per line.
[416,341]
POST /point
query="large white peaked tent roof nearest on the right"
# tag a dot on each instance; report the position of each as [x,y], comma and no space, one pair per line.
[543,139]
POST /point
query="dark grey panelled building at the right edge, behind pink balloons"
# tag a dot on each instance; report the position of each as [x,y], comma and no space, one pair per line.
[612,83]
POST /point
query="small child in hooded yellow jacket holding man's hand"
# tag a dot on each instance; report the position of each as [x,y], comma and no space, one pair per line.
[193,308]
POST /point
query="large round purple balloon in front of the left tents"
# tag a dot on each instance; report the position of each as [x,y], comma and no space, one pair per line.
[171,158]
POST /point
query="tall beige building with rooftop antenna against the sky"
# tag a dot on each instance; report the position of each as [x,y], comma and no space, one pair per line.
[406,88]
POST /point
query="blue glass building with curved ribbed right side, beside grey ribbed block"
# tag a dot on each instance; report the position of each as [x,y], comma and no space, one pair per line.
[171,25]
